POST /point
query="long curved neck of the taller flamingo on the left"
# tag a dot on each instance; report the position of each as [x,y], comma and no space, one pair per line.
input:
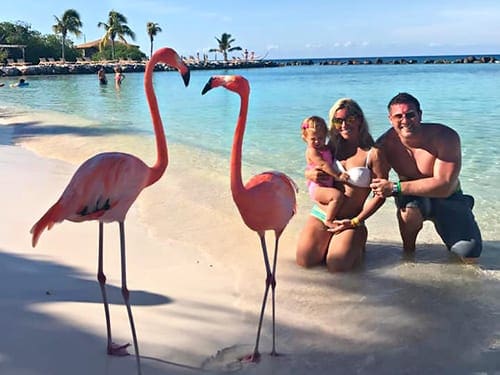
[157,170]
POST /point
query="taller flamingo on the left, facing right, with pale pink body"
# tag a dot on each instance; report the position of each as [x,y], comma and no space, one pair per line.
[106,185]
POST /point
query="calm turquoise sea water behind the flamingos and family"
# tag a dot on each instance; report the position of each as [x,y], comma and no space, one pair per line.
[463,96]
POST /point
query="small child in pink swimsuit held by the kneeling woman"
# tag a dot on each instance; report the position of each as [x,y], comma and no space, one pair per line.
[318,155]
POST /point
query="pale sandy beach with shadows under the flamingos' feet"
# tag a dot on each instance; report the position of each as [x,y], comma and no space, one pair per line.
[196,278]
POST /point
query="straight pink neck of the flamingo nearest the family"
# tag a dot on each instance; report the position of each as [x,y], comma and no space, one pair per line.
[236,180]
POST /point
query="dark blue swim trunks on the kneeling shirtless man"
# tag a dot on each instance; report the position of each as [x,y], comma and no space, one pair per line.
[453,220]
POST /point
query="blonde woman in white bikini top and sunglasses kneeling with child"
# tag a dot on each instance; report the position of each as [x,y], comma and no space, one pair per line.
[342,247]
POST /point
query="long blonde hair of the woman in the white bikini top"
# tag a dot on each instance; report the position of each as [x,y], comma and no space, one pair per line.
[353,109]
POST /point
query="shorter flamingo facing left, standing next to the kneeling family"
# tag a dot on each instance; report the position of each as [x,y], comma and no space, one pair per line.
[266,202]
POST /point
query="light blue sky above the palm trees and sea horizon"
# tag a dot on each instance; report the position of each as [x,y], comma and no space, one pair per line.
[287,29]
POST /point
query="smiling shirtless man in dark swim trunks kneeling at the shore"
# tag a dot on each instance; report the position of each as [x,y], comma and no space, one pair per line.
[427,159]
